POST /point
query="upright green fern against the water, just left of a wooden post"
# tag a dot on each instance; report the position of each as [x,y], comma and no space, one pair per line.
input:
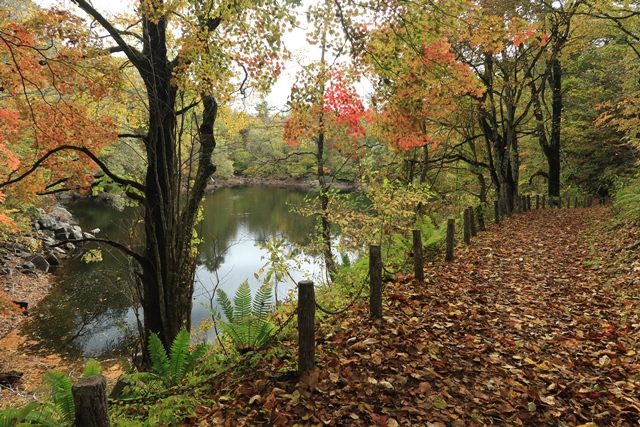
[246,322]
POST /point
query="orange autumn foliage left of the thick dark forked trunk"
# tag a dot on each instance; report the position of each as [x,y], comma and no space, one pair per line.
[55,87]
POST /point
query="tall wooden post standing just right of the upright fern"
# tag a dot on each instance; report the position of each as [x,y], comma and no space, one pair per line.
[306,327]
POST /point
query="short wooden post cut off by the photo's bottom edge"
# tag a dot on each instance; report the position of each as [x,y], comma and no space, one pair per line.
[90,401]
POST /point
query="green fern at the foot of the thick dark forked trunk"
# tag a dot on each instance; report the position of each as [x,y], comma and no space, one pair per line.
[172,368]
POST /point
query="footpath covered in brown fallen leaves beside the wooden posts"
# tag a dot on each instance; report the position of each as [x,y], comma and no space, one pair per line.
[522,328]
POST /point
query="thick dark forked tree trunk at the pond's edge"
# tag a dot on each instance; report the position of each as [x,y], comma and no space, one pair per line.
[169,211]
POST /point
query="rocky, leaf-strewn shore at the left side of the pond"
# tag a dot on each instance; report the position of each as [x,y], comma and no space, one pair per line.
[26,263]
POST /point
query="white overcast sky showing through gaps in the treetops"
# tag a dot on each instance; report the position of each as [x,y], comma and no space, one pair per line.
[295,41]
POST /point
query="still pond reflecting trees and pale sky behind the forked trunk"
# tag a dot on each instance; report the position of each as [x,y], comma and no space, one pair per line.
[91,312]
